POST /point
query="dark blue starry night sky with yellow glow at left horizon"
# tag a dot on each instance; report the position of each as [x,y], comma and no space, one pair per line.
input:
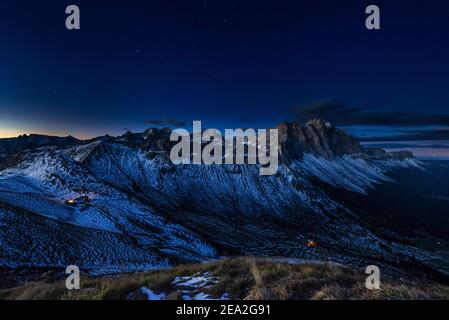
[136,64]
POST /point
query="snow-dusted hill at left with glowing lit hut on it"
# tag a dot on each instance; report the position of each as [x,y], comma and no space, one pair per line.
[109,231]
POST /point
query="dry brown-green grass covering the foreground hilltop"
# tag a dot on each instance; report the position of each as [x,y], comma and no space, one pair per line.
[240,278]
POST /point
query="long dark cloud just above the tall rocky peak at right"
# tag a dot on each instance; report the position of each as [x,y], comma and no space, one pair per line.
[343,115]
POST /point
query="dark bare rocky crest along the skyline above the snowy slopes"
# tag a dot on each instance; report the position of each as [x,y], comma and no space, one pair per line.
[316,137]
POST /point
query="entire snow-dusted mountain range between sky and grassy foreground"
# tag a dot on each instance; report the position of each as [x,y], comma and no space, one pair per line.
[116,204]
